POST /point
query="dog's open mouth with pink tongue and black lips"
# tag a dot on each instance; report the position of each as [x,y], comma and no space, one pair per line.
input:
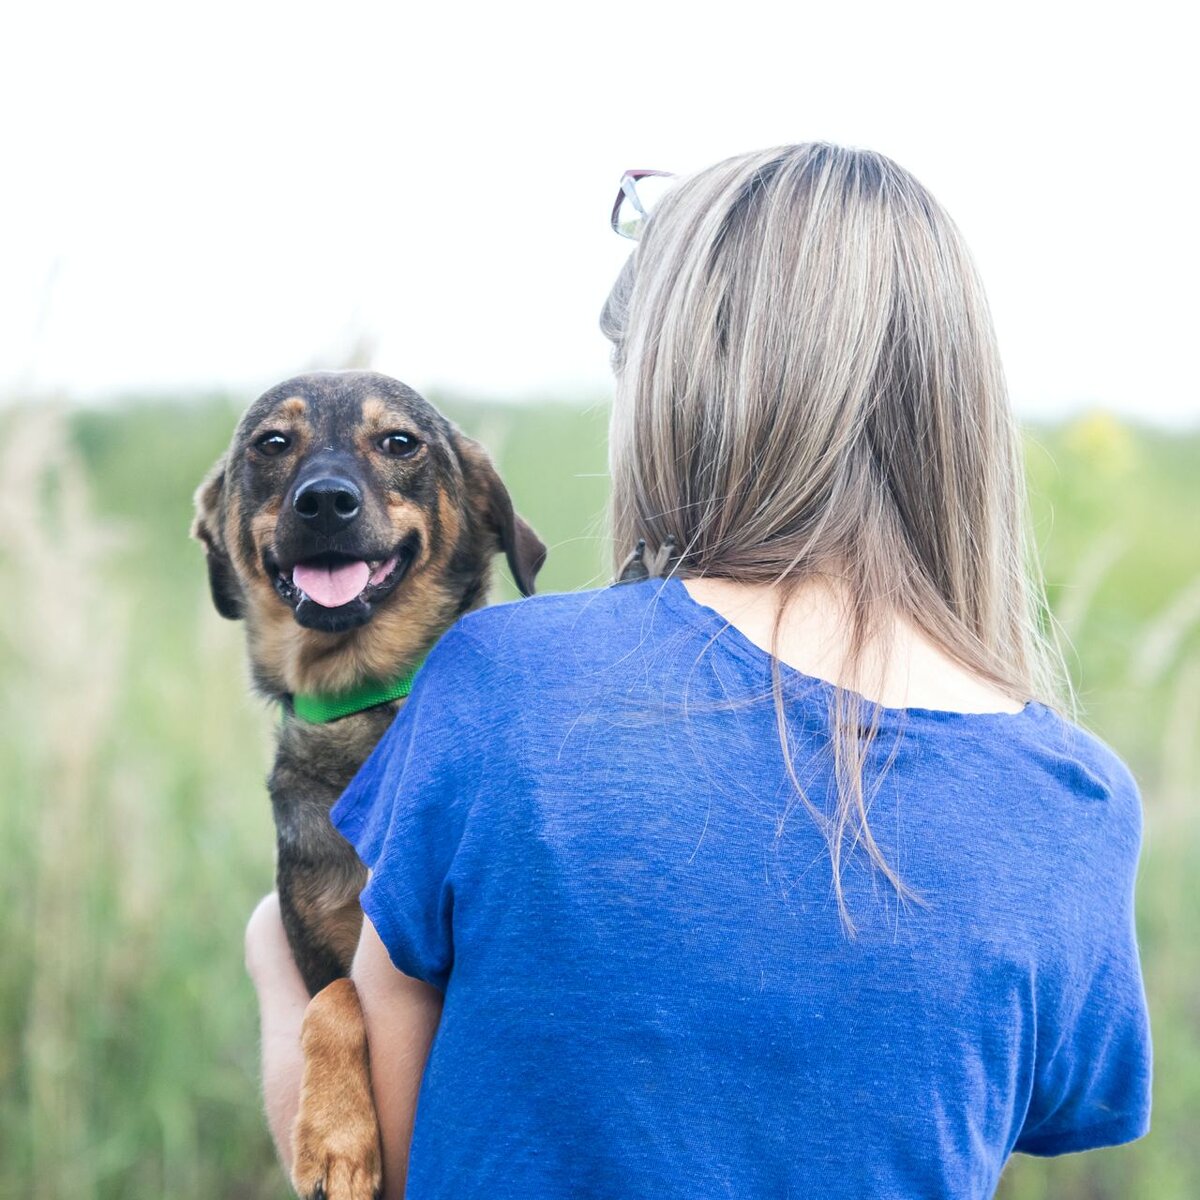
[337,592]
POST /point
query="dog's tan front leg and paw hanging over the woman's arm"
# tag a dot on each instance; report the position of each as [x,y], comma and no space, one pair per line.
[335,1142]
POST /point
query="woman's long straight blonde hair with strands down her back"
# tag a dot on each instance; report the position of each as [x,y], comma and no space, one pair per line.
[809,387]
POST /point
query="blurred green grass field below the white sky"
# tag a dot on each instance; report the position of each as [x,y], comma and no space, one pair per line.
[136,832]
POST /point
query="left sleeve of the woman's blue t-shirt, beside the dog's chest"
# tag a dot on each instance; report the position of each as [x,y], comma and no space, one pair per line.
[407,809]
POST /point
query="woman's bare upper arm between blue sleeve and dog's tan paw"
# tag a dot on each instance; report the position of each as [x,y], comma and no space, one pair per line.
[401,1017]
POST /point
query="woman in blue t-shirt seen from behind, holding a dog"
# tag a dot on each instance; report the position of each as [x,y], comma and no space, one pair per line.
[782,875]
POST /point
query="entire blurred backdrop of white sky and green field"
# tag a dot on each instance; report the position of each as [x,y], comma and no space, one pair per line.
[202,201]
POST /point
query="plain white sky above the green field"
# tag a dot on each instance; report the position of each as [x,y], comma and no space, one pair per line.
[214,195]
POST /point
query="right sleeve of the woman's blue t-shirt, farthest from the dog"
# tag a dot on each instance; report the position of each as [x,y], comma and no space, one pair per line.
[1093,1081]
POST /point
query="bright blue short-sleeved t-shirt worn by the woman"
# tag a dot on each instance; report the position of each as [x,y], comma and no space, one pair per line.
[581,829]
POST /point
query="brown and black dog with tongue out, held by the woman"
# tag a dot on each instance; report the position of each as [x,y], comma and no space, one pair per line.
[349,525]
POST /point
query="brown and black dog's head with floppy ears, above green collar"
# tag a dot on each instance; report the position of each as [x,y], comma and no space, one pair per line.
[346,505]
